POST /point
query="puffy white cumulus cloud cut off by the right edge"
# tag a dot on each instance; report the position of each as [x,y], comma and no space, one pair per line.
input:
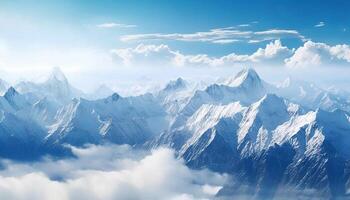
[316,54]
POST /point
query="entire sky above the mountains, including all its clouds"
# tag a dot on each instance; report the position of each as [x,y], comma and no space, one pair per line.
[85,36]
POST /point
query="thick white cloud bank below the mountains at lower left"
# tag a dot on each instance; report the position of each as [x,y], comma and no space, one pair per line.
[109,172]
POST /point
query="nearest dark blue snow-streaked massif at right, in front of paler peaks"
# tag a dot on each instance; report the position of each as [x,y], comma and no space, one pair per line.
[267,144]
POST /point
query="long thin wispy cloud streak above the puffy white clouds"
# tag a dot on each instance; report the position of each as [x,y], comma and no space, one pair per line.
[219,35]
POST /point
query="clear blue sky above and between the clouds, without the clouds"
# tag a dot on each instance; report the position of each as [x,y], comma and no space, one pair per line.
[187,17]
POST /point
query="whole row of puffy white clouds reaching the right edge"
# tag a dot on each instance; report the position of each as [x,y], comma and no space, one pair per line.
[309,55]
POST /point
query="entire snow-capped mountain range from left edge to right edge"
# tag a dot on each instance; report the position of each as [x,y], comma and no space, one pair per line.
[275,140]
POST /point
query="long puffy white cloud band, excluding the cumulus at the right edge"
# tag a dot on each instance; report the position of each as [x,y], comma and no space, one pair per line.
[163,54]
